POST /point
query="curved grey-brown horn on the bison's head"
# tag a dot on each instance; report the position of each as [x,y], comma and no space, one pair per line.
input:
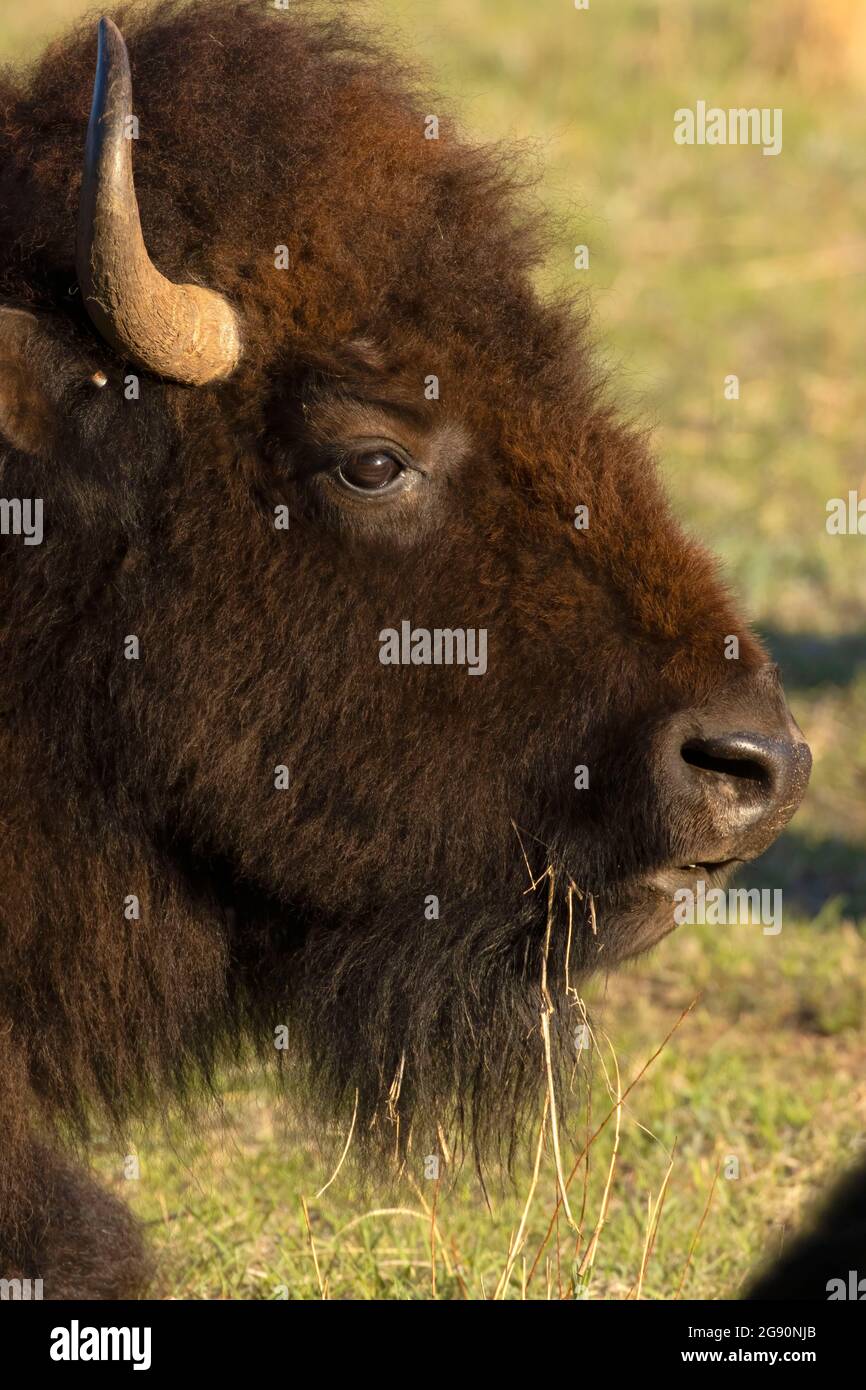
[184,333]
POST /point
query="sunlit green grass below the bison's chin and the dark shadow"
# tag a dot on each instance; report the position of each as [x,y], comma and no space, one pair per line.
[768,1068]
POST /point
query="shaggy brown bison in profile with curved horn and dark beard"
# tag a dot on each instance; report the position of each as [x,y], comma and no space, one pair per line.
[359,690]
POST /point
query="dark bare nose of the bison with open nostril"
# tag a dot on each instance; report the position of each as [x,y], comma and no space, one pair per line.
[733,790]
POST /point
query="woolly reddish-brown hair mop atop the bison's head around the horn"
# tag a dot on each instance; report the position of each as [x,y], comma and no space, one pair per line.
[263,129]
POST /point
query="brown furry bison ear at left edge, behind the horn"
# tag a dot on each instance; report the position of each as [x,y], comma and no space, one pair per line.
[27,415]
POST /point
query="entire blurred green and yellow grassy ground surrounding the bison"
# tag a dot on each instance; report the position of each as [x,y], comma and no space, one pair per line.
[704,262]
